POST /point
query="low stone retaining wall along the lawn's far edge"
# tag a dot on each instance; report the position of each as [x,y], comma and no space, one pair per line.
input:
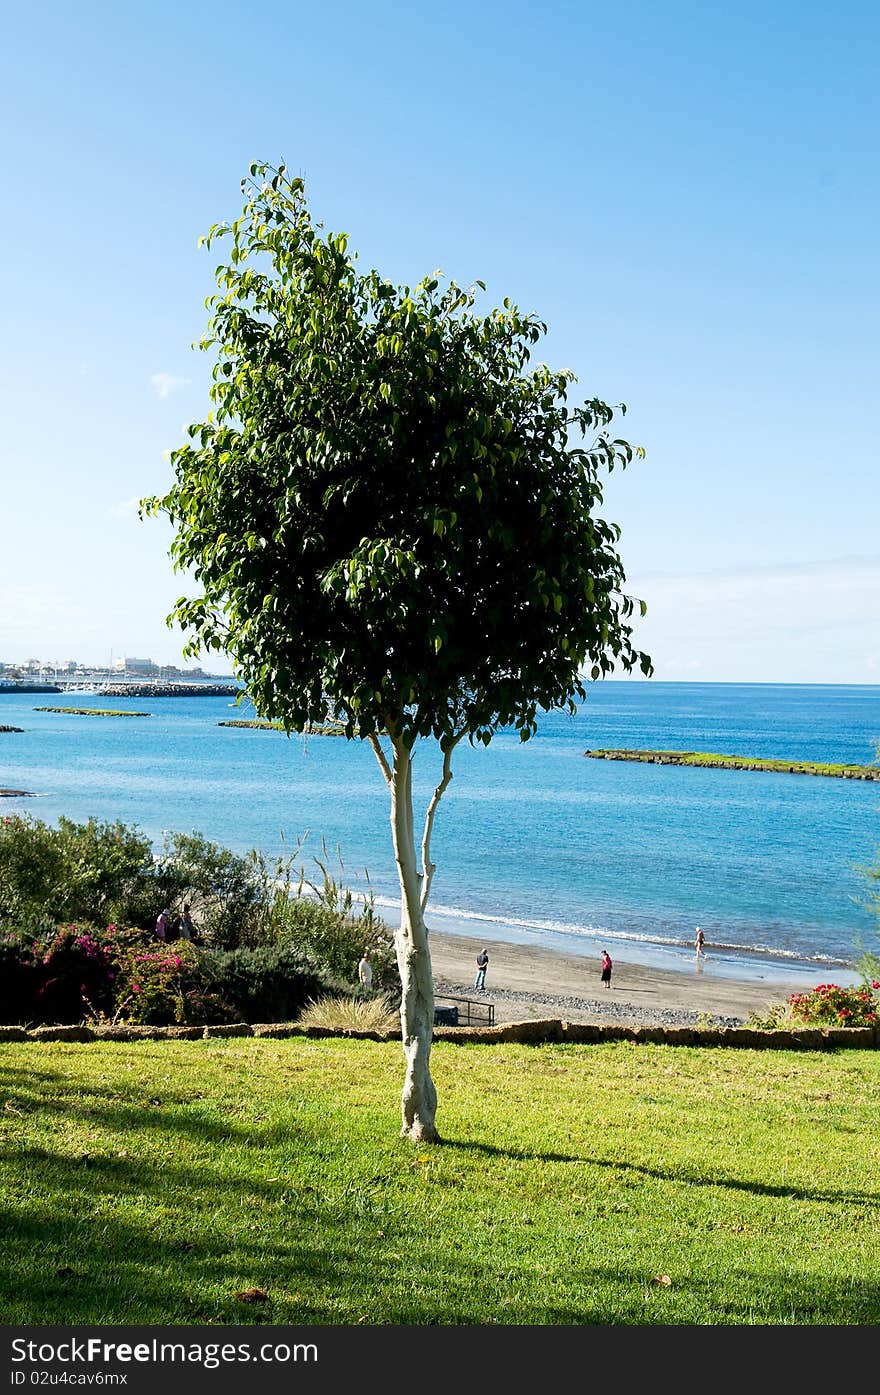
[535,1033]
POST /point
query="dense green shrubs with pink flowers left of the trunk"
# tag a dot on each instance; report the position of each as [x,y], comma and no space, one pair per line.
[267,941]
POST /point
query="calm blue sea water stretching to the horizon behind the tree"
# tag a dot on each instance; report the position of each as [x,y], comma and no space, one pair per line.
[533,842]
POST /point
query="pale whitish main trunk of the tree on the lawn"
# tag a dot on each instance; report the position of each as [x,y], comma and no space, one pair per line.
[419,1104]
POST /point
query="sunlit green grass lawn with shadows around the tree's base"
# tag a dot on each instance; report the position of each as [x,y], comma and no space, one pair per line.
[157,1181]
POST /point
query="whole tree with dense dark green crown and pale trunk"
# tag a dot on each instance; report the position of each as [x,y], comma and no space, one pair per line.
[391,525]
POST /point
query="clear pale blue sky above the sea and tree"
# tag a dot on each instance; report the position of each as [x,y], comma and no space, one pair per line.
[688,196]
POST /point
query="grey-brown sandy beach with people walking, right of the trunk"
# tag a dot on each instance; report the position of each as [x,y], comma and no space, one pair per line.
[528,981]
